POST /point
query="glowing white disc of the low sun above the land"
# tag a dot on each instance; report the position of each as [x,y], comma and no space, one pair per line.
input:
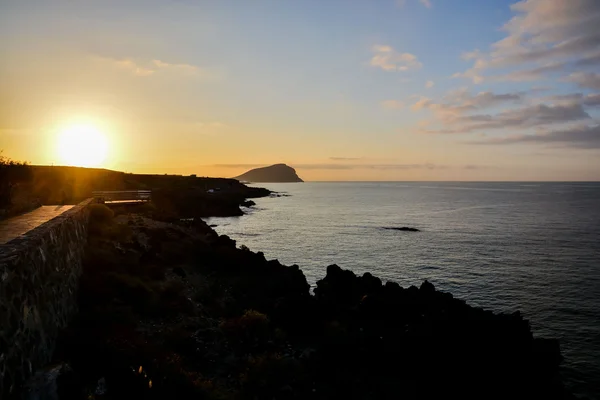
[82,145]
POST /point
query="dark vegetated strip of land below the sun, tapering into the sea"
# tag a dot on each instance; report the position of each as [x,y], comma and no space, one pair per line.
[24,187]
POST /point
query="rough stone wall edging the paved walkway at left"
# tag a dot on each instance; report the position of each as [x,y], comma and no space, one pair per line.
[39,274]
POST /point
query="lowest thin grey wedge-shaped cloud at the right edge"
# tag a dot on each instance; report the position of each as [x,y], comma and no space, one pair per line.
[587,137]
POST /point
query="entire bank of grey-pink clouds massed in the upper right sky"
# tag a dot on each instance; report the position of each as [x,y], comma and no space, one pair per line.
[544,39]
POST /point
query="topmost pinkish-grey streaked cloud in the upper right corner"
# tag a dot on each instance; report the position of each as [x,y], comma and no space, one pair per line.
[543,37]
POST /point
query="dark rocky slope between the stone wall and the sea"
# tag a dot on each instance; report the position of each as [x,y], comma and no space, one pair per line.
[170,309]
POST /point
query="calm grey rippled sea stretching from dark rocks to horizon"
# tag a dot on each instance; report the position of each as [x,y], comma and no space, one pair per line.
[533,247]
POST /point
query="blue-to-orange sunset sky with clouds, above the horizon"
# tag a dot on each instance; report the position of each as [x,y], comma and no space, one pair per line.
[339,89]
